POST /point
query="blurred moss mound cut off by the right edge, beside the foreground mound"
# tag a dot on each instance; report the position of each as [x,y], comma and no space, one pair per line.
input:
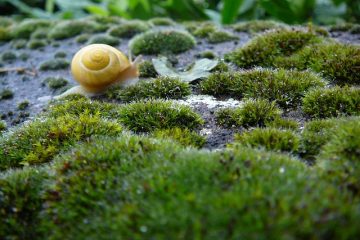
[339,157]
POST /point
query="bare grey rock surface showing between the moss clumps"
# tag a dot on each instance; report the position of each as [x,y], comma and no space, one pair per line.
[29,87]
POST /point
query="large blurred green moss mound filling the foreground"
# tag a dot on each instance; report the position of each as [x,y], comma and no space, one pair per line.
[184,187]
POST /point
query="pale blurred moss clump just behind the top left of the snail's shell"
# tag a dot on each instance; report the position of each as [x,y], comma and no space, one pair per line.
[71,28]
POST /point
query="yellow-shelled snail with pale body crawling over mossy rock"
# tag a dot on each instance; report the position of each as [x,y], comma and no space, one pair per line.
[97,67]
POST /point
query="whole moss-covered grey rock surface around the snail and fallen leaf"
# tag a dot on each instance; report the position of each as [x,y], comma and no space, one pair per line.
[136,163]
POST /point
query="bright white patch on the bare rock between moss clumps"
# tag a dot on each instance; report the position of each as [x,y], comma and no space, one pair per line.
[210,101]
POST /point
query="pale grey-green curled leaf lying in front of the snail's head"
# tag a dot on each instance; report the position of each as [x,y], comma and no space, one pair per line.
[201,69]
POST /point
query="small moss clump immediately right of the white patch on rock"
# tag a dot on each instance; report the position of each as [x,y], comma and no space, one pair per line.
[253,113]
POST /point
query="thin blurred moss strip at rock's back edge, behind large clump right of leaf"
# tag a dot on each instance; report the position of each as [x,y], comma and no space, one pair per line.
[257,26]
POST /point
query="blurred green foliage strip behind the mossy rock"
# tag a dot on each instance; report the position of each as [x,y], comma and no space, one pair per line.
[222,11]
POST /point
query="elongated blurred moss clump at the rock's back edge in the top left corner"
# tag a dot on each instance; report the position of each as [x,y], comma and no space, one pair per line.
[25,28]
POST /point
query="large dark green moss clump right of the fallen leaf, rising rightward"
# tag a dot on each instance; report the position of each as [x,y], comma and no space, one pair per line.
[264,49]
